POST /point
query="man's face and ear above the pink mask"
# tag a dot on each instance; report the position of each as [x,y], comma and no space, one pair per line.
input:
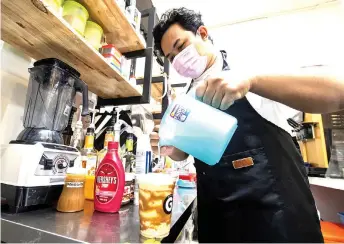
[176,39]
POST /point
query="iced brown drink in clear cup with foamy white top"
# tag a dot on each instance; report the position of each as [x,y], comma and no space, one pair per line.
[155,204]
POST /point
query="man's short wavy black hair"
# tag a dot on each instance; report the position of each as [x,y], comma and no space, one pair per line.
[186,18]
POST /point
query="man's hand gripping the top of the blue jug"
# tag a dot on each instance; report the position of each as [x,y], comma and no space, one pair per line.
[222,92]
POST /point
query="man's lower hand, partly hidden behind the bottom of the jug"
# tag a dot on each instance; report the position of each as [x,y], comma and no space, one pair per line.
[170,151]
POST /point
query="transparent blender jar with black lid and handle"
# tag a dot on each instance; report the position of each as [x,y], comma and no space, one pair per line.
[49,100]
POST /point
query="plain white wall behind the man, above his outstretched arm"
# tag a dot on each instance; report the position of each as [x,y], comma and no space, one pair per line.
[297,39]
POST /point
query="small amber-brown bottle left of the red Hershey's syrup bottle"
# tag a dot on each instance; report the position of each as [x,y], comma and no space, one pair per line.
[72,197]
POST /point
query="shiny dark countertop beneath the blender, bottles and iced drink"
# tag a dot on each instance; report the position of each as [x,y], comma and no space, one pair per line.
[48,225]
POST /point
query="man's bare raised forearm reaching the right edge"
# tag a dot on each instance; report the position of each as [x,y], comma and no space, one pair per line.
[312,90]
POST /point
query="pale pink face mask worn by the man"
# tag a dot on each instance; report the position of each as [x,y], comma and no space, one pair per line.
[189,63]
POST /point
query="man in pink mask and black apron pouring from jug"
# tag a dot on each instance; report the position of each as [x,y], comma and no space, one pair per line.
[269,199]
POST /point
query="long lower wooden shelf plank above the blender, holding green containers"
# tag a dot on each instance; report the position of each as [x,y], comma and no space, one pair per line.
[29,26]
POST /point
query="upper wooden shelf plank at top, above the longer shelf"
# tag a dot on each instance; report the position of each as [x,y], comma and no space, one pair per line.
[117,29]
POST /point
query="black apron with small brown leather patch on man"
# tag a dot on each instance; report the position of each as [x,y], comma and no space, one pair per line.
[269,201]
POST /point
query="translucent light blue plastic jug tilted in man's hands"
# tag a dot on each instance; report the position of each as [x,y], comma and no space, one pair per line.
[197,128]
